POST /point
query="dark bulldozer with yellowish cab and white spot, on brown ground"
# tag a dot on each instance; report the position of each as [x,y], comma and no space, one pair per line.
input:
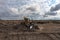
[27,25]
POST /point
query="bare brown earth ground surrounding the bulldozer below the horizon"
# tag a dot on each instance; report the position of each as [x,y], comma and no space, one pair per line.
[47,31]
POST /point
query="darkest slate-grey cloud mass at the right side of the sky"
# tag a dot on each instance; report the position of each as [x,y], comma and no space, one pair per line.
[52,11]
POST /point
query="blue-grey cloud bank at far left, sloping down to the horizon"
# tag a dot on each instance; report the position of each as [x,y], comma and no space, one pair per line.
[6,14]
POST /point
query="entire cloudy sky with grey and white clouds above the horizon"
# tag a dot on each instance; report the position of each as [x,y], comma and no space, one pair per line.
[33,9]
